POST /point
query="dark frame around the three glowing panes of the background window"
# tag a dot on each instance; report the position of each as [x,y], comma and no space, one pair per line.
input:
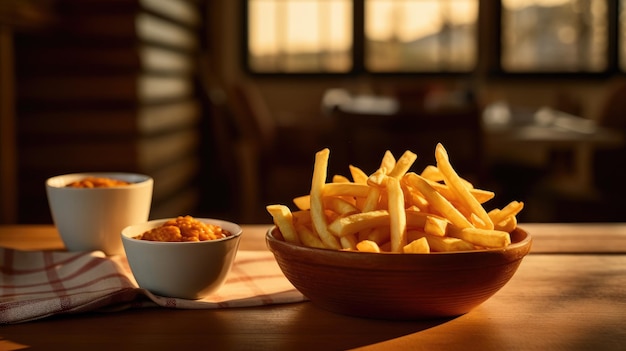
[489,52]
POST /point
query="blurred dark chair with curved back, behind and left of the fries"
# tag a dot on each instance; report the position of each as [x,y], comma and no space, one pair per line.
[275,162]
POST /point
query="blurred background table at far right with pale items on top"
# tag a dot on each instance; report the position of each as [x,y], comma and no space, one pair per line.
[534,136]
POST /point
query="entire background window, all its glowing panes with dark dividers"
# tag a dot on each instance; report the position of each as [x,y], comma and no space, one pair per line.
[435,36]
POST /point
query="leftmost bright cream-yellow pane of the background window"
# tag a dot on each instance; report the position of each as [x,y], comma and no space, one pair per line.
[292,36]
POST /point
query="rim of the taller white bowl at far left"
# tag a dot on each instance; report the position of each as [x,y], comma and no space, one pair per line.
[55,182]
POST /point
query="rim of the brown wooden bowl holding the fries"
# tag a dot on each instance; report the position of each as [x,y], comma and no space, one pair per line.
[525,241]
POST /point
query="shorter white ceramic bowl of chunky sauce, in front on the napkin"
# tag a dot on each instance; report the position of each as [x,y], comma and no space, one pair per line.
[188,270]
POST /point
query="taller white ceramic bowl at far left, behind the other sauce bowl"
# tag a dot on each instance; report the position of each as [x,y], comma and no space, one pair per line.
[91,219]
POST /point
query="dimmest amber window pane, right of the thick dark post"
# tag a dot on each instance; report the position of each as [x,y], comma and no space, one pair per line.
[554,35]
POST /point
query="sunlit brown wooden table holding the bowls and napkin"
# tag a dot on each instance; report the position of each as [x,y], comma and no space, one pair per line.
[568,294]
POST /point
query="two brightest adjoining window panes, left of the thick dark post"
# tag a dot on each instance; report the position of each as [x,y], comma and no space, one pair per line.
[316,36]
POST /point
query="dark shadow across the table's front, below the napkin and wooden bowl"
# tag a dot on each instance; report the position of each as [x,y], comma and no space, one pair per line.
[301,326]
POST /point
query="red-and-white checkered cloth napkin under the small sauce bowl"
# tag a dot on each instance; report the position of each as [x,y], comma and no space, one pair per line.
[38,284]
